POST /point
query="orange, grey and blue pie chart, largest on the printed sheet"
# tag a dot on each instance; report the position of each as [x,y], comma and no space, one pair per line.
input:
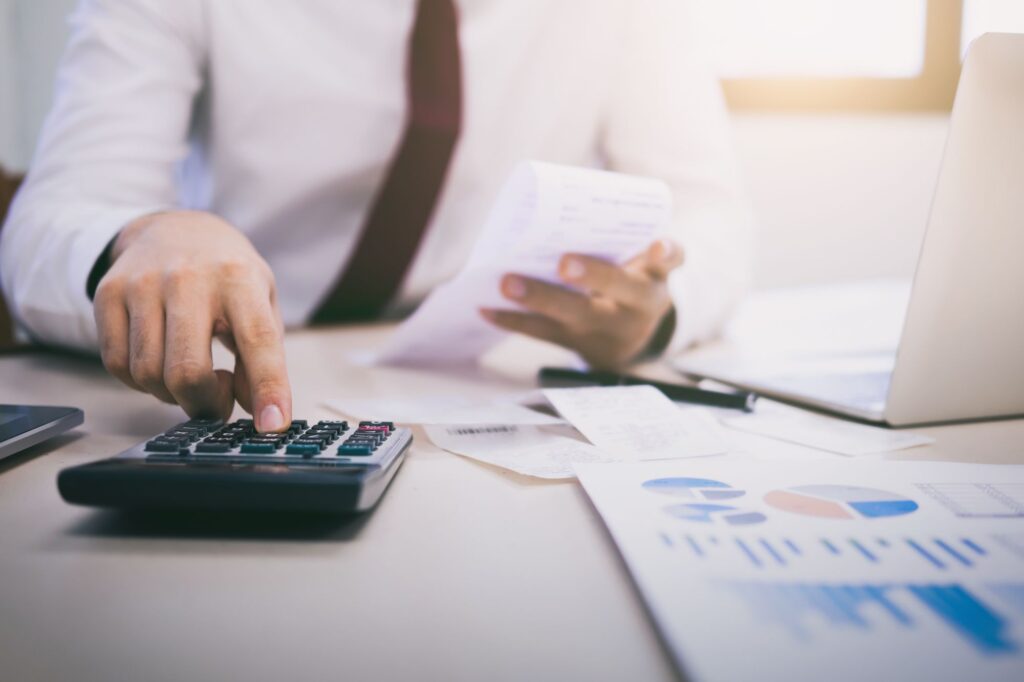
[841,502]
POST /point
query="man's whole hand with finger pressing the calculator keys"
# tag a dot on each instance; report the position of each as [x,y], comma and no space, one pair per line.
[178,280]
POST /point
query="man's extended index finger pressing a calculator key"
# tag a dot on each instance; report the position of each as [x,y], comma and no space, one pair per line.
[258,331]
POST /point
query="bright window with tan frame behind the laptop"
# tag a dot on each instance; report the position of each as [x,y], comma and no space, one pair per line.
[848,55]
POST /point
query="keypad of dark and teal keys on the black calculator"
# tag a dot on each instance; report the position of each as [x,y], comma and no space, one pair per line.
[325,444]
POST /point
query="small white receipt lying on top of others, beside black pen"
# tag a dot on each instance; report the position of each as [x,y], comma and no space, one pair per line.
[638,422]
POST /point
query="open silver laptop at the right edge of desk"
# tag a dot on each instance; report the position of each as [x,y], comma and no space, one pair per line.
[961,353]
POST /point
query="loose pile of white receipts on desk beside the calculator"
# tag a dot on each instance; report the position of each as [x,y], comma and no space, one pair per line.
[621,423]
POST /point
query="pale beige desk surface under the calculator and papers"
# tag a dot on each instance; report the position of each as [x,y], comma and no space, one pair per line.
[463,573]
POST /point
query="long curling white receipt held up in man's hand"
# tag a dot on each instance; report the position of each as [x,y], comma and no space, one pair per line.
[543,212]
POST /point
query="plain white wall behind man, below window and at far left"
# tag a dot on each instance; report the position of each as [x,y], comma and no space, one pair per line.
[838,197]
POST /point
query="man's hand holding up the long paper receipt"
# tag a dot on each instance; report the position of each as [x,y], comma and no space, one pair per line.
[611,321]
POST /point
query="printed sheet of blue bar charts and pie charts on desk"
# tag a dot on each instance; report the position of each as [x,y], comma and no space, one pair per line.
[845,571]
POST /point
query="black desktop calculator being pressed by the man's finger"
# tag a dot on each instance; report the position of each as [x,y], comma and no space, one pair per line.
[327,467]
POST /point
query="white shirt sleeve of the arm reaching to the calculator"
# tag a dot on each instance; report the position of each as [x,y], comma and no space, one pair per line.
[107,156]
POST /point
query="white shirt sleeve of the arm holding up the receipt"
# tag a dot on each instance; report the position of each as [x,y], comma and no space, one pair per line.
[667,119]
